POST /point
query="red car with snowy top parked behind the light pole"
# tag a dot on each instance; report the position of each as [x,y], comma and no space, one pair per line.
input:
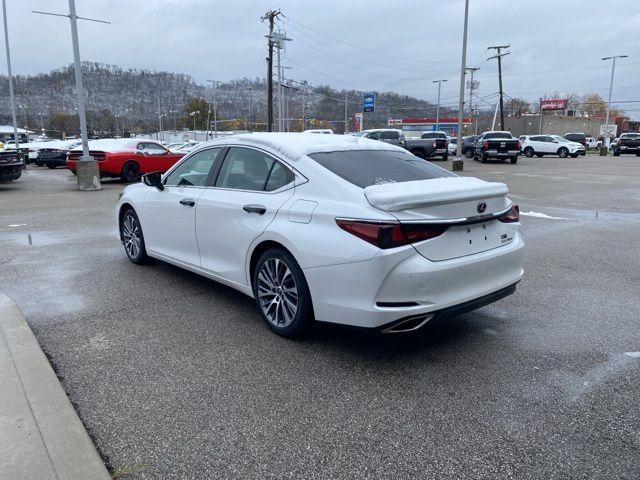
[126,158]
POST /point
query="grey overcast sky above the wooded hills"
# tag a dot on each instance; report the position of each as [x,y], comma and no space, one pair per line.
[400,45]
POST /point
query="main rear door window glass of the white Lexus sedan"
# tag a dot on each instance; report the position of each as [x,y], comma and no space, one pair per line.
[245,169]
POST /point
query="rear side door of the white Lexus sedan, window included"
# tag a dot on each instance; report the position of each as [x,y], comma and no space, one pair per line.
[249,188]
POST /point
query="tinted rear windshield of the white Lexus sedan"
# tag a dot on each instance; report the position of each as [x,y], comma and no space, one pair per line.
[374,167]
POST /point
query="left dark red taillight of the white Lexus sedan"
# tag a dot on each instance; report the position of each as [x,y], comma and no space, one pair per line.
[390,235]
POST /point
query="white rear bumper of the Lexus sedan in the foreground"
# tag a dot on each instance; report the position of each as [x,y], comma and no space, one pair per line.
[398,284]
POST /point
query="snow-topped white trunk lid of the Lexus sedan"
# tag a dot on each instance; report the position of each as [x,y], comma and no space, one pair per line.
[467,206]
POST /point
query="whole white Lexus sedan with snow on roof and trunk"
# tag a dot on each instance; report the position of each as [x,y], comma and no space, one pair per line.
[328,228]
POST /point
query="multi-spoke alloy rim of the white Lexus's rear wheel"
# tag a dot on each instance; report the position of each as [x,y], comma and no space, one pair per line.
[277,292]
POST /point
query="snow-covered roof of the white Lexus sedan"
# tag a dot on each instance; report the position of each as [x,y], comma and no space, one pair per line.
[297,145]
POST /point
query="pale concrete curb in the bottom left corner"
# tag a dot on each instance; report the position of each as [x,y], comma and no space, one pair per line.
[42,435]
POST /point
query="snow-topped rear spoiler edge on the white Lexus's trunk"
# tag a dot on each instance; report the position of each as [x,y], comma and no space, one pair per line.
[393,197]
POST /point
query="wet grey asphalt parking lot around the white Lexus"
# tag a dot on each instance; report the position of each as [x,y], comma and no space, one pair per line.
[175,376]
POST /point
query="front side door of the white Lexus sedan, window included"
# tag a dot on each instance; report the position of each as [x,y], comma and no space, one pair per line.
[168,215]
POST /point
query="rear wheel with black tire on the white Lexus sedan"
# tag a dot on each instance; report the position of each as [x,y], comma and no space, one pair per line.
[268,287]
